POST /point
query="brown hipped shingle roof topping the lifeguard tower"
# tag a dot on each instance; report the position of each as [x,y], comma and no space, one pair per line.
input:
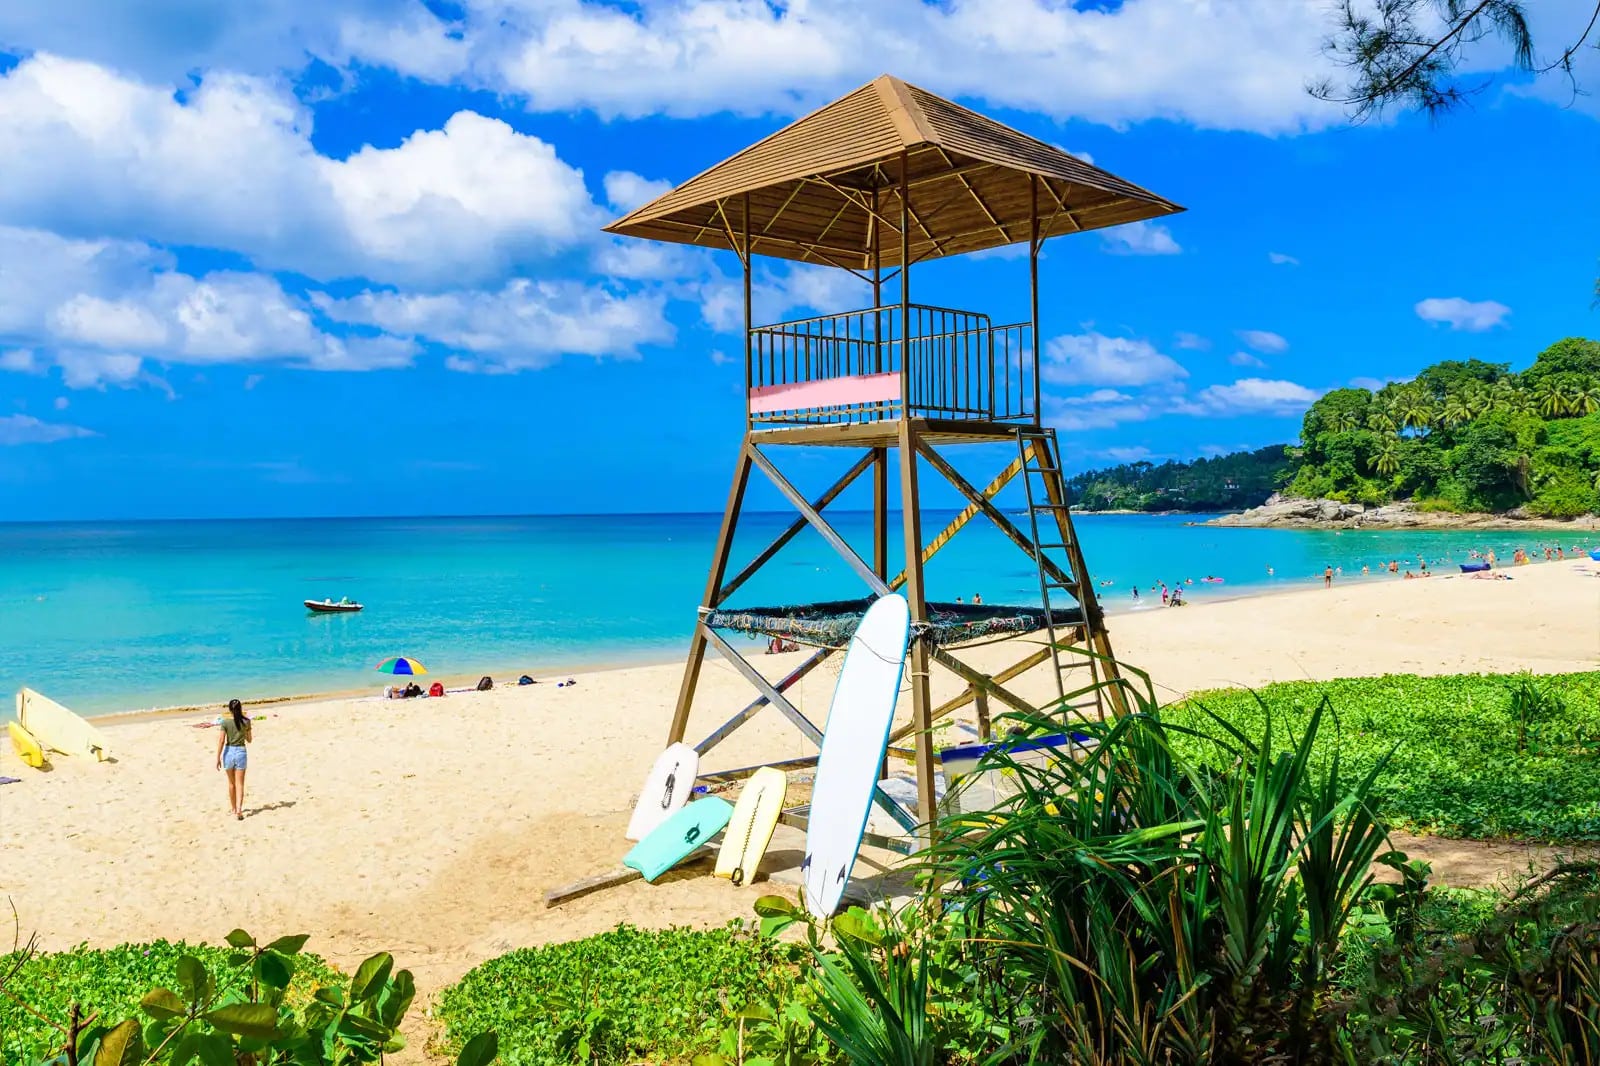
[825,188]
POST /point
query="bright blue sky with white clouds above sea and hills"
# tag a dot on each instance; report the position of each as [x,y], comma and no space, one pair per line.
[306,258]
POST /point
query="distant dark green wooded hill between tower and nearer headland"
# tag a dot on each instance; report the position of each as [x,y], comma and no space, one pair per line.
[1230,483]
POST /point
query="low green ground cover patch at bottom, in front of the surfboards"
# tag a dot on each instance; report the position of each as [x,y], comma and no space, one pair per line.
[638,996]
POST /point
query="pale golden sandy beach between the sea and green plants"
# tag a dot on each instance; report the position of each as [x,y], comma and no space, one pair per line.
[434,827]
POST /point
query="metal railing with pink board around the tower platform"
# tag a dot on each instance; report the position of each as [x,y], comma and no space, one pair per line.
[862,367]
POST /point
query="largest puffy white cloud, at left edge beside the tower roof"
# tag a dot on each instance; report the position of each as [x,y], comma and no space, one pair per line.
[230,164]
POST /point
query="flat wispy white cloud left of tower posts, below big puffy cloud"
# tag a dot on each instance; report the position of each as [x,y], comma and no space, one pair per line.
[524,326]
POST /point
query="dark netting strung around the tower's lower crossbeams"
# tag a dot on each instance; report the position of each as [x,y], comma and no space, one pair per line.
[834,623]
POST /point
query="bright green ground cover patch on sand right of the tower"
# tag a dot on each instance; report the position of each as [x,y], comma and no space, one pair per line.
[1473,756]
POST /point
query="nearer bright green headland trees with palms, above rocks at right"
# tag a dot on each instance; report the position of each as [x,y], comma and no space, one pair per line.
[1465,436]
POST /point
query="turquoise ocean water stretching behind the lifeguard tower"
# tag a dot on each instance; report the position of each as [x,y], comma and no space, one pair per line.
[110,617]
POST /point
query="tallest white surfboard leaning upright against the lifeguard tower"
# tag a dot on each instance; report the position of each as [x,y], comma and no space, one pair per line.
[854,745]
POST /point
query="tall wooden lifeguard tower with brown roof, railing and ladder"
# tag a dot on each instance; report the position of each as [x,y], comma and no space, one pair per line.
[876,183]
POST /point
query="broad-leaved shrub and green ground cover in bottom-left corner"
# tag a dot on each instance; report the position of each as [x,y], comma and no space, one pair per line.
[178,1006]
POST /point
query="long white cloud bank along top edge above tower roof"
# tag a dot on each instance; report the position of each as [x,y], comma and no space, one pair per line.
[689,58]
